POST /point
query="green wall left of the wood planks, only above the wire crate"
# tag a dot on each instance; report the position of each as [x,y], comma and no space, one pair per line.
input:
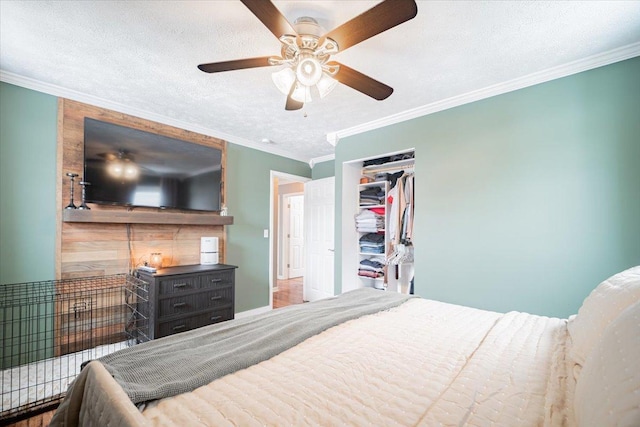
[28,126]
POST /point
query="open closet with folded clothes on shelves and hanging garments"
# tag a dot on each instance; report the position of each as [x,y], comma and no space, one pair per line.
[377,222]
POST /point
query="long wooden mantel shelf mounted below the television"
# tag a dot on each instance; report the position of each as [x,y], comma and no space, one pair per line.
[132,217]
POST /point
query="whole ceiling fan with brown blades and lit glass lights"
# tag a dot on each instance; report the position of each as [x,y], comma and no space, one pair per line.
[306,50]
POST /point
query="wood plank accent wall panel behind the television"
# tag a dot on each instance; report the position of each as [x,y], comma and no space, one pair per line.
[94,249]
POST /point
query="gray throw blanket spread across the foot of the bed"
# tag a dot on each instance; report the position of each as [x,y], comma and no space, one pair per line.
[183,362]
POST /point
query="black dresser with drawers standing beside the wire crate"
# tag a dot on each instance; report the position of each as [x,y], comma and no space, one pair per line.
[188,297]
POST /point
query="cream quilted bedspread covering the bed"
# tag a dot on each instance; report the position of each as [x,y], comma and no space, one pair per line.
[422,363]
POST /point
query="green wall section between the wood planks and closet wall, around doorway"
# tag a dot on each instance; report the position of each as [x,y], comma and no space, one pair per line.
[247,197]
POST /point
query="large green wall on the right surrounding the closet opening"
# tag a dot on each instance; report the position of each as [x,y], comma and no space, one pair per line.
[527,200]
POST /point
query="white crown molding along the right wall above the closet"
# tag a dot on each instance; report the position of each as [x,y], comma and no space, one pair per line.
[574,67]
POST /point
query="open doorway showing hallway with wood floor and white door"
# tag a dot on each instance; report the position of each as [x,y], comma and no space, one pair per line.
[286,239]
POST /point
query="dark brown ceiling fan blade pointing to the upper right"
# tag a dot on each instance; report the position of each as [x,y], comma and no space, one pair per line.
[374,21]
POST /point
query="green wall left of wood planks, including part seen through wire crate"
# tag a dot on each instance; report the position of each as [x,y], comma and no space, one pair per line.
[28,127]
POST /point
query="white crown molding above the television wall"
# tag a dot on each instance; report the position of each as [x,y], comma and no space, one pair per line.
[62,92]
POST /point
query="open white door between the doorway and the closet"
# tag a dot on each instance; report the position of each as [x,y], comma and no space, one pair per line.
[319,211]
